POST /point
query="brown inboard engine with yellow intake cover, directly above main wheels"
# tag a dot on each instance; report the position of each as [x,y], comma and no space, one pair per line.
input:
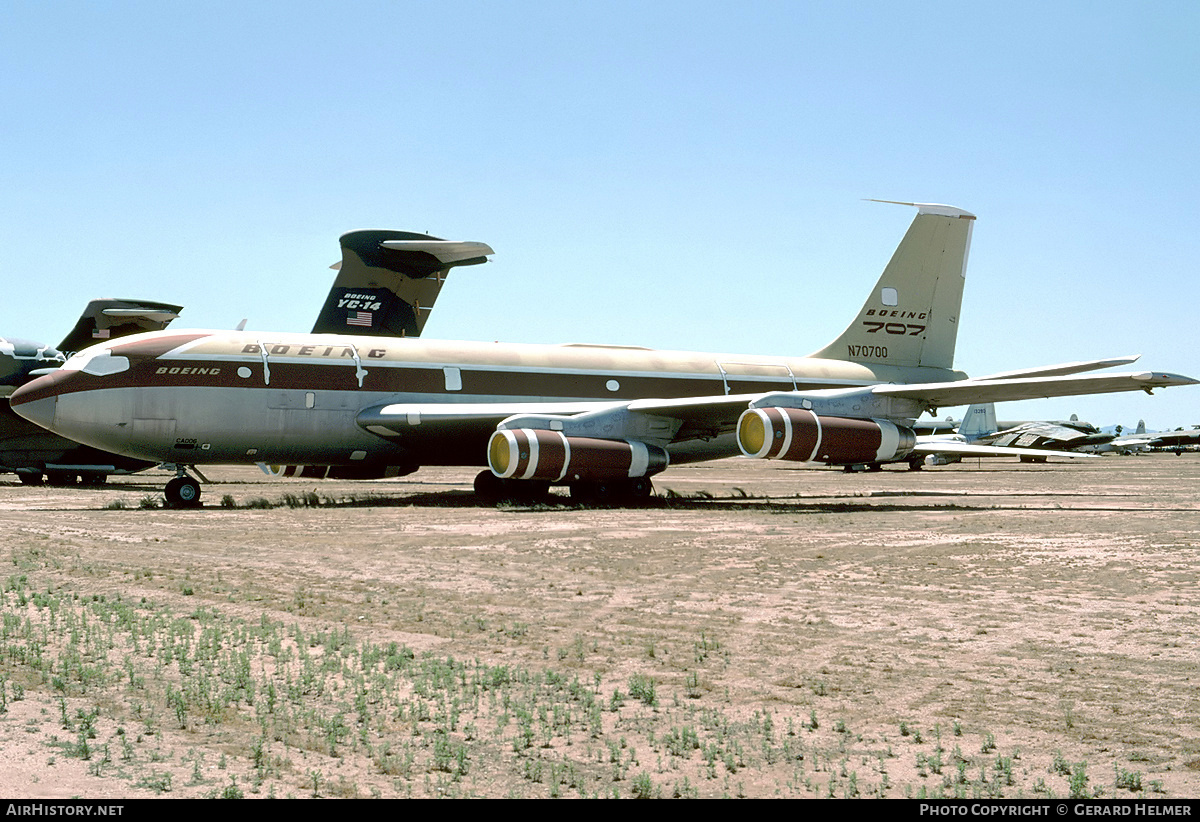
[535,454]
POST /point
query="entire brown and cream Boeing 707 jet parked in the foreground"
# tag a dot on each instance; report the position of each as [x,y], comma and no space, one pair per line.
[602,419]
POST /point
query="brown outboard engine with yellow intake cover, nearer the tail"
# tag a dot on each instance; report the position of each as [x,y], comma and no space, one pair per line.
[801,436]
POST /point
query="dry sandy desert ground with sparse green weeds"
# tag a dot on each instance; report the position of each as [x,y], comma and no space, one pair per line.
[989,629]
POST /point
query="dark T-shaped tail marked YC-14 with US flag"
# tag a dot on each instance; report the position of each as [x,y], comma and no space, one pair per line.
[388,281]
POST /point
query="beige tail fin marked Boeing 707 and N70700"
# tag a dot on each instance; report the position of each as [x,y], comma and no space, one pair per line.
[913,316]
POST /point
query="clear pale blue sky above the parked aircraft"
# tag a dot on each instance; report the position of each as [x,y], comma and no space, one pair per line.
[679,176]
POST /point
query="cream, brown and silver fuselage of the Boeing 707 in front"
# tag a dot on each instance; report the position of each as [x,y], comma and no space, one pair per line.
[203,398]
